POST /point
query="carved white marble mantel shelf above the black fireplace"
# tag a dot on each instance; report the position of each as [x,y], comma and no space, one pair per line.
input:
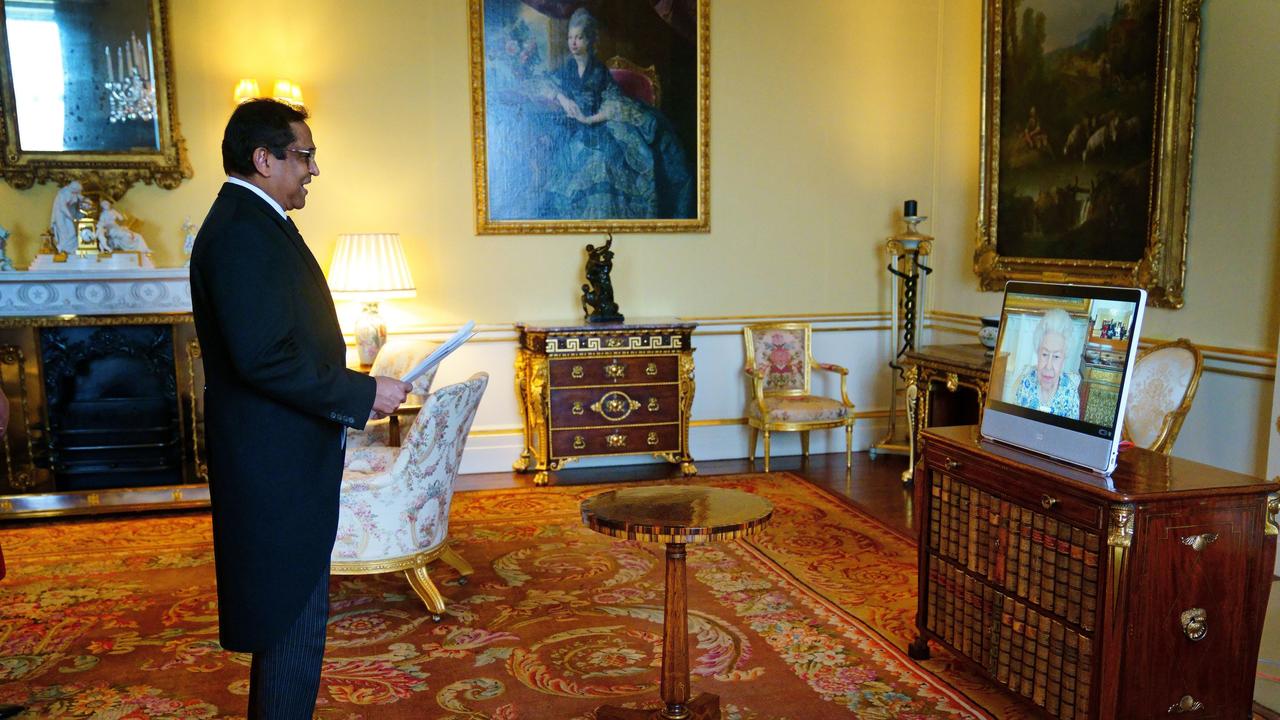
[94,293]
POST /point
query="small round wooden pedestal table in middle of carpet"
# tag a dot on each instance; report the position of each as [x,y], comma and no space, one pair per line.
[675,516]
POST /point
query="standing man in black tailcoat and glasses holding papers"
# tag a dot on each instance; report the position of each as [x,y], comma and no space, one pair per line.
[278,399]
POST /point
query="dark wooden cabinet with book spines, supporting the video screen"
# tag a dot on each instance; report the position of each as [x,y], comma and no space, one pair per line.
[1135,596]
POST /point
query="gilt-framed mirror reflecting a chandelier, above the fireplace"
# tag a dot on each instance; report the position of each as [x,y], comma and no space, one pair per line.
[112,166]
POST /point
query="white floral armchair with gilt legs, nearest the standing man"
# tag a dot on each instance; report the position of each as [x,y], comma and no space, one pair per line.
[395,508]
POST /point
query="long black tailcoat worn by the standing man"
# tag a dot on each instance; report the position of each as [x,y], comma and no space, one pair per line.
[277,399]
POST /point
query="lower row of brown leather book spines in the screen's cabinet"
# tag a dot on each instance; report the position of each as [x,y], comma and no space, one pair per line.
[1030,653]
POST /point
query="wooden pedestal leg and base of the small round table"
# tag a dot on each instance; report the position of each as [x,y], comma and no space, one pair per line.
[675,657]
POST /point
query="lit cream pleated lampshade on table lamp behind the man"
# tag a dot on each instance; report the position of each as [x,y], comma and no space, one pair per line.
[371,267]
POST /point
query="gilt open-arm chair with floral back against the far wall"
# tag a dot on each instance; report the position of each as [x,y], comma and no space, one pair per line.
[779,363]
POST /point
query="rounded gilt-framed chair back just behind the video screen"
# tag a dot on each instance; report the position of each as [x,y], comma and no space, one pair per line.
[1165,379]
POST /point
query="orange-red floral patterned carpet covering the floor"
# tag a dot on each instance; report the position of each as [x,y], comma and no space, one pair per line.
[117,619]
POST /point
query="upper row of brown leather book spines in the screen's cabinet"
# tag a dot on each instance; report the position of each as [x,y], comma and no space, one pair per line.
[1050,563]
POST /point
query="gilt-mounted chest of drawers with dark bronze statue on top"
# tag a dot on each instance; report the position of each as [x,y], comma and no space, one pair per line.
[592,390]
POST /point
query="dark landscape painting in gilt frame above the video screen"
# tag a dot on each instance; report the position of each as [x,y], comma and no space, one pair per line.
[1067,81]
